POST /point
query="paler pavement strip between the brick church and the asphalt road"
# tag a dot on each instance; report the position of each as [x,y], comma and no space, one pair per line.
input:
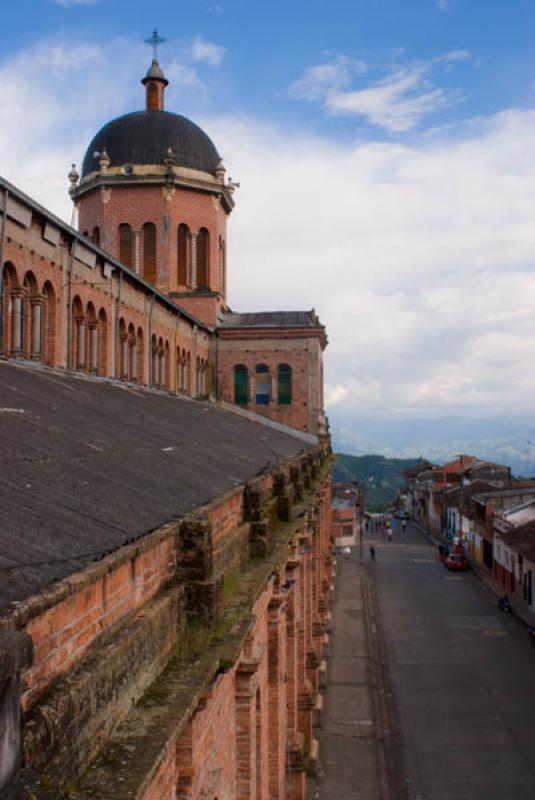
[359,748]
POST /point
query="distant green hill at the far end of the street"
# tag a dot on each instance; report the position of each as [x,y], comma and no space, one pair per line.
[378,476]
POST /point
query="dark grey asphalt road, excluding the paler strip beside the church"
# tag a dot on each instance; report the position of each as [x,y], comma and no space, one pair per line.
[463,675]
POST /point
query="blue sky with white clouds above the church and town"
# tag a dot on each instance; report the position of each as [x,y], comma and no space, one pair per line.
[386,157]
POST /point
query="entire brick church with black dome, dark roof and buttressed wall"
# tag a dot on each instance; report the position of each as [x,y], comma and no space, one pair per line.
[165,514]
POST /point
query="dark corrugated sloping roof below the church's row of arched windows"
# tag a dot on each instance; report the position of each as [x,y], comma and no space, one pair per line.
[89,465]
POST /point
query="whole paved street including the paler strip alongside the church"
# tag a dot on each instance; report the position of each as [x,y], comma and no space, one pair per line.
[452,717]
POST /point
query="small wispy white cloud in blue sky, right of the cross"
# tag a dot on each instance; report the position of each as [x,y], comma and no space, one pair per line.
[397,102]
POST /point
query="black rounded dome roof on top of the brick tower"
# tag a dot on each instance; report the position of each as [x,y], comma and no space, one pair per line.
[143,137]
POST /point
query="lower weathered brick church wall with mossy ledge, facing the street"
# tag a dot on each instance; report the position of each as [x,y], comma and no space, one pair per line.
[172,669]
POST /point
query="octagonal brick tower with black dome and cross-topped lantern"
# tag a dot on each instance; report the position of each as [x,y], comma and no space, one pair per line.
[153,193]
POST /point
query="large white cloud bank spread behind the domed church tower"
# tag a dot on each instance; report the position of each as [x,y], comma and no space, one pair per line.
[419,259]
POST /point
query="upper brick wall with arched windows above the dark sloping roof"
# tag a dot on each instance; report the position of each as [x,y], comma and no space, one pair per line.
[37,272]
